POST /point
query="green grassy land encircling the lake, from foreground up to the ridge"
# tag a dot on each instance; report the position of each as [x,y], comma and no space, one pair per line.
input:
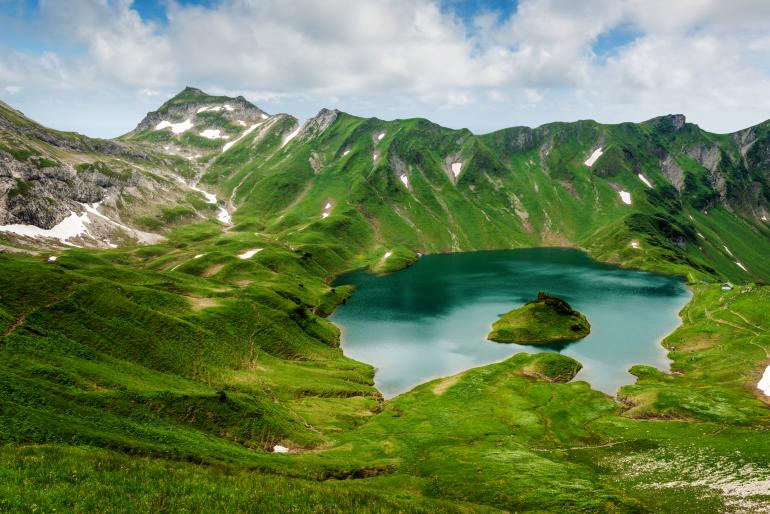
[161,377]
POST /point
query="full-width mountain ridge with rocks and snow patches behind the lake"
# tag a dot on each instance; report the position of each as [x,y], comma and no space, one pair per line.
[409,183]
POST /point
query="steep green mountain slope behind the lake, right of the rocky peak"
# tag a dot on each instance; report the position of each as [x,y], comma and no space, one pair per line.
[648,197]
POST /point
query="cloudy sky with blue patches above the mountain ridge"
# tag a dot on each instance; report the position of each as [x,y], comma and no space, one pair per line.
[97,66]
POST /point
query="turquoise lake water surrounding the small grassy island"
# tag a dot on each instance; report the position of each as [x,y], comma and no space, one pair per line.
[431,320]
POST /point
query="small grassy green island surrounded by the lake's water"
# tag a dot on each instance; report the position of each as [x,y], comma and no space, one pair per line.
[547,319]
